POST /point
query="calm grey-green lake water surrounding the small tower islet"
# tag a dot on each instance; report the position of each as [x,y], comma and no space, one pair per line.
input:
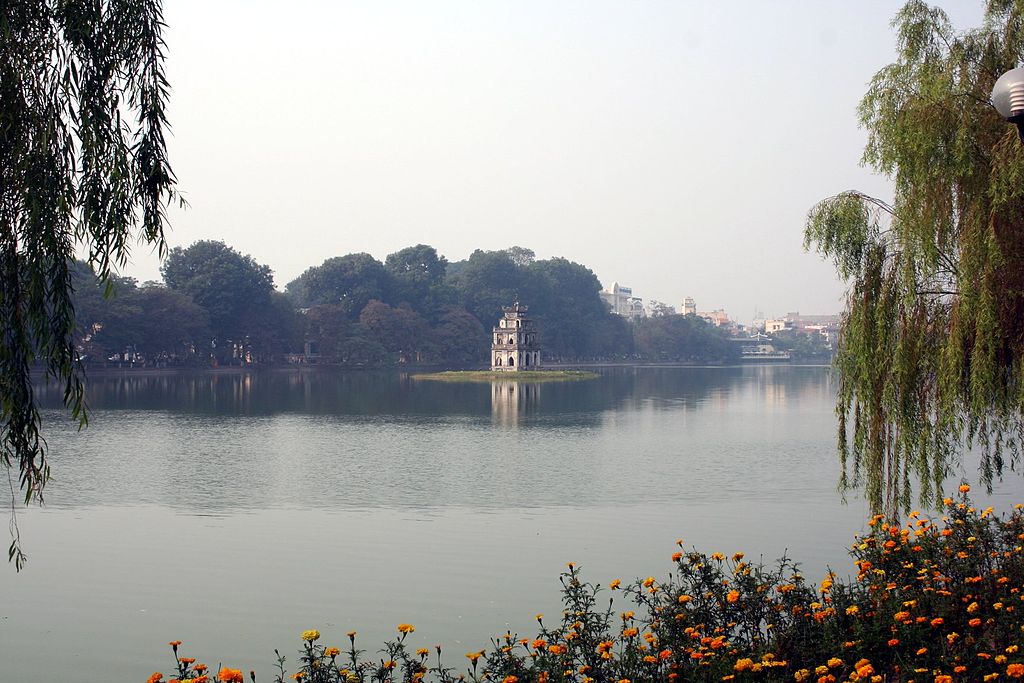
[233,511]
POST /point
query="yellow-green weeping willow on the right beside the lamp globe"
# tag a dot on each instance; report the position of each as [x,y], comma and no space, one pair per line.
[931,356]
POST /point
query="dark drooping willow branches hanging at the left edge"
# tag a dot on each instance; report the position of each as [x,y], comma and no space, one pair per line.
[83,165]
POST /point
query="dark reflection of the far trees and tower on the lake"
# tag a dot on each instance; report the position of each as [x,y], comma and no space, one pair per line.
[318,392]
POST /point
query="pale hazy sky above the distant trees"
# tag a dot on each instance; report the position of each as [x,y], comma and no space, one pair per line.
[674,147]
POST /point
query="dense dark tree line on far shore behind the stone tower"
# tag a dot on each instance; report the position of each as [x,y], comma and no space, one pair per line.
[217,306]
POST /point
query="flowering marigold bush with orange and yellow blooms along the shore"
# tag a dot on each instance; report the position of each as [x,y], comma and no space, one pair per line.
[933,601]
